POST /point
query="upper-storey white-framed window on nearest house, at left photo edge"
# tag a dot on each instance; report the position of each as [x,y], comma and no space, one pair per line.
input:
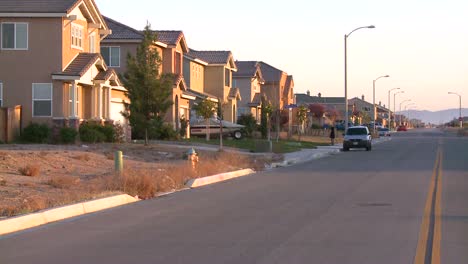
[15,36]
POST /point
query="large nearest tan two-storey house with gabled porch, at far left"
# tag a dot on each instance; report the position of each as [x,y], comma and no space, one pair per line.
[50,62]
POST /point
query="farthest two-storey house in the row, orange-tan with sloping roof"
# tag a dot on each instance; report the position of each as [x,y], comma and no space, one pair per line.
[278,87]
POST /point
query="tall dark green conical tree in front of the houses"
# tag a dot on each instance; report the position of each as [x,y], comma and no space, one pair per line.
[148,90]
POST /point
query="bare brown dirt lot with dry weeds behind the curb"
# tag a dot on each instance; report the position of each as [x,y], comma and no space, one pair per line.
[34,177]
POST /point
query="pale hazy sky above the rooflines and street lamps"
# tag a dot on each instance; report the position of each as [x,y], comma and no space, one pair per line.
[421,44]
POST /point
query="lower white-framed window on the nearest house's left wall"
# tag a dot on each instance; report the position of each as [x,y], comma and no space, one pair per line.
[42,99]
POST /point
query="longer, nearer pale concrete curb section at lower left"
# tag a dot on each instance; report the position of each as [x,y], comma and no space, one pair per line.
[19,223]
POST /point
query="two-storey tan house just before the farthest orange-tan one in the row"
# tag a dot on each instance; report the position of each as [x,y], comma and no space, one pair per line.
[249,80]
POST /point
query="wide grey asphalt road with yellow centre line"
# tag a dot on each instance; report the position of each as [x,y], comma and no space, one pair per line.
[403,202]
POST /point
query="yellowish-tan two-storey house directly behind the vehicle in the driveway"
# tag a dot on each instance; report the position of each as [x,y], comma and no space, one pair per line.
[218,80]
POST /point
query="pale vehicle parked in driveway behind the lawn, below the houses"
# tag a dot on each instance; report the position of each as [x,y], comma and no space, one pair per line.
[198,128]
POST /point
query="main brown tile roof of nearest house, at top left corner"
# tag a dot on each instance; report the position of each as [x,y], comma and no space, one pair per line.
[37,6]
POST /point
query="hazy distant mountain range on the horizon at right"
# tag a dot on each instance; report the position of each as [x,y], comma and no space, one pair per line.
[438,117]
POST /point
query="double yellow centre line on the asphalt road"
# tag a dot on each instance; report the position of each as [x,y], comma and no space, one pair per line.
[428,249]
